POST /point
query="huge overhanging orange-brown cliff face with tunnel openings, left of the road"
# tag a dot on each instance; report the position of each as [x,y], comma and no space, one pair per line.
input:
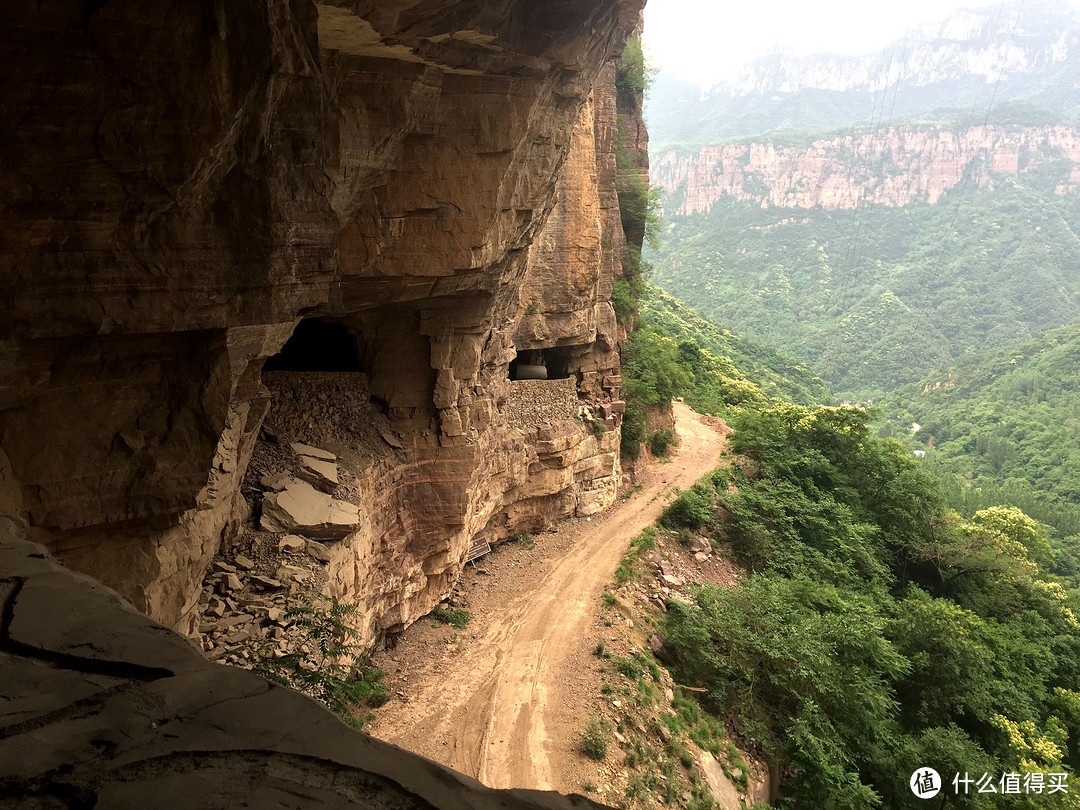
[183,190]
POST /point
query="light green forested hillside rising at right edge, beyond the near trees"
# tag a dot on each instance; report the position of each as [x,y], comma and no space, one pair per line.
[1003,428]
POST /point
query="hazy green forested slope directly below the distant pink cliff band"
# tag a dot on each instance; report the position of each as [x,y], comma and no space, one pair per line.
[879,299]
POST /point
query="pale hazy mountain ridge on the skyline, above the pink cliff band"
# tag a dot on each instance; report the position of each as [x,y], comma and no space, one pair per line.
[976,66]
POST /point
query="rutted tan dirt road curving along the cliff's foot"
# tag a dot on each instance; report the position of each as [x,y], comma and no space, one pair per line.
[502,708]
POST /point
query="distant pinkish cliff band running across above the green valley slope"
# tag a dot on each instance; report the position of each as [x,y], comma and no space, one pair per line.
[896,168]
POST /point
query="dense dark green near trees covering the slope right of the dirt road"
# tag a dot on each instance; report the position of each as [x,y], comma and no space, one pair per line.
[875,631]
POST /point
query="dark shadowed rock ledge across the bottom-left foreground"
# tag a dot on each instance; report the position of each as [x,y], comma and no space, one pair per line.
[101,707]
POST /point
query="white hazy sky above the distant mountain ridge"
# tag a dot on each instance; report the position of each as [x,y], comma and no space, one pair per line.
[706,40]
